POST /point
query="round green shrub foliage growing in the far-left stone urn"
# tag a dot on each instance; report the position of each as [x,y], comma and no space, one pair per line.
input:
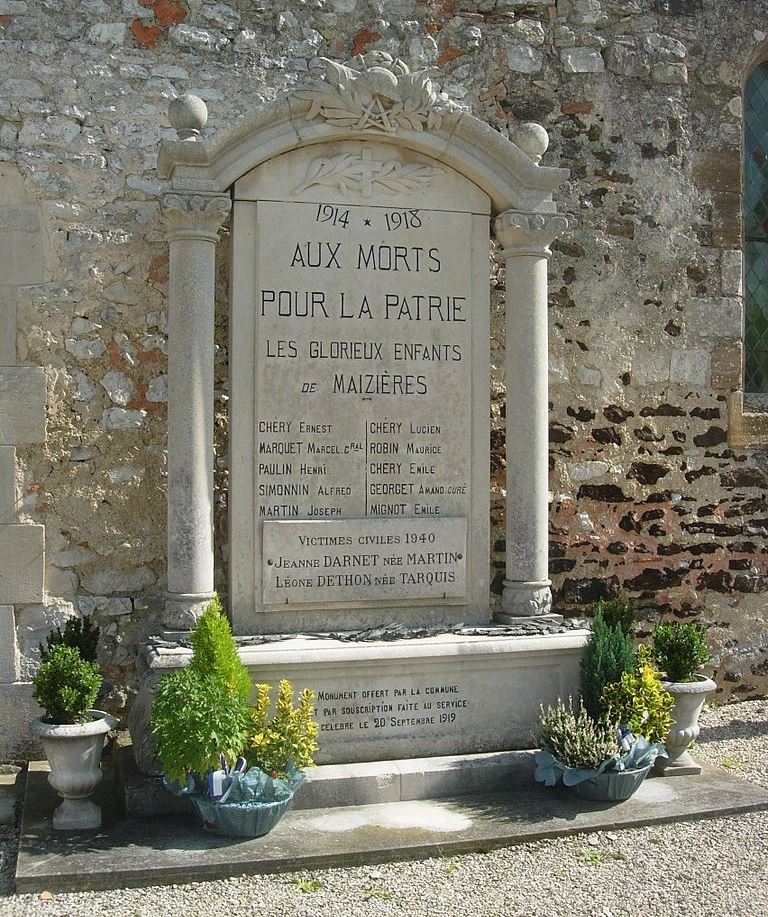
[66,685]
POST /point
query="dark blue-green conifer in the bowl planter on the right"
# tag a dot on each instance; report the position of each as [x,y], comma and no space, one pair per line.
[609,653]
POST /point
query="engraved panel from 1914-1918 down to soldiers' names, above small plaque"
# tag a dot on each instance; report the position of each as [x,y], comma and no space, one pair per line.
[364,363]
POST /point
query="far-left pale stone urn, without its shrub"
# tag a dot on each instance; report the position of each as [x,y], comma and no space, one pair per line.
[74,754]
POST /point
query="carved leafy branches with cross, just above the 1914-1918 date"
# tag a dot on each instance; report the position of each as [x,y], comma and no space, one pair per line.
[352,174]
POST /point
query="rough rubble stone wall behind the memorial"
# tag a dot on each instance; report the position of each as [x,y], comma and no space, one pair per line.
[642,100]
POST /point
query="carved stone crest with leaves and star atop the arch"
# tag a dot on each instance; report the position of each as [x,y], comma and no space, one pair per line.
[382,95]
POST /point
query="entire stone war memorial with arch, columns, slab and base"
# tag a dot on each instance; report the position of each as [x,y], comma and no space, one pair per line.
[359,413]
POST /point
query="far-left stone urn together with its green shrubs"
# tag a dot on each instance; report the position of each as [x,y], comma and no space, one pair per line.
[72,733]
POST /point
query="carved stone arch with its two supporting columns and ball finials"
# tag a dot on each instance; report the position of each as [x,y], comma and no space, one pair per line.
[376,98]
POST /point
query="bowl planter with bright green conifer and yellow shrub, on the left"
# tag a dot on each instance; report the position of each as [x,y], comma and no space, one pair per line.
[238,764]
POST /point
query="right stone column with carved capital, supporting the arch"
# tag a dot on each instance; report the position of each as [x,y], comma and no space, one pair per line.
[525,240]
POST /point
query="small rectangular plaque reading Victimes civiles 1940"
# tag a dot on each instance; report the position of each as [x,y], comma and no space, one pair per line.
[368,559]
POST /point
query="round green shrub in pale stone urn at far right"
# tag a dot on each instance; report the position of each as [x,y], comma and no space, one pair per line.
[680,649]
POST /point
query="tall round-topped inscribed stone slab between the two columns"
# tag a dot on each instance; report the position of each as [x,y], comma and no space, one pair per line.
[360,383]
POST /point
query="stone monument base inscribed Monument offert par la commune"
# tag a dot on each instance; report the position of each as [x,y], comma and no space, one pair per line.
[444,694]
